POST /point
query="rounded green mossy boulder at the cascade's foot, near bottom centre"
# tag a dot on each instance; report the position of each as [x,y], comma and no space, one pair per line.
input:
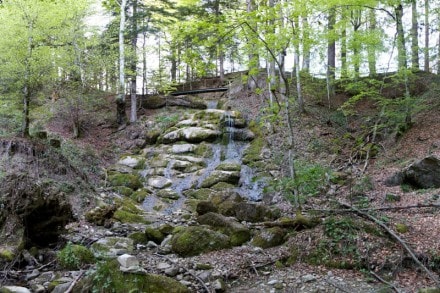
[194,240]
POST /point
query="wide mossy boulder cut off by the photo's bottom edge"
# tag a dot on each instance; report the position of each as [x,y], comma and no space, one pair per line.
[109,276]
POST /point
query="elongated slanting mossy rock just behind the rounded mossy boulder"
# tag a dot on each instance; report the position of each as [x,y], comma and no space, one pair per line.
[237,232]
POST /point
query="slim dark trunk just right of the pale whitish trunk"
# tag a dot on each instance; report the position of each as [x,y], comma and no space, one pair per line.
[133,84]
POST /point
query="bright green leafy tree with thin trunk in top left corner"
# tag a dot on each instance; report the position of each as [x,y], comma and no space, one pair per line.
[33,42]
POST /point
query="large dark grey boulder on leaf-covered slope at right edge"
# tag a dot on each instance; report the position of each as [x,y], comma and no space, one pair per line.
[422,174]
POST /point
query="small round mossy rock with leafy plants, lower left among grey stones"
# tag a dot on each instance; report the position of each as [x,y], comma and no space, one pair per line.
[74,256]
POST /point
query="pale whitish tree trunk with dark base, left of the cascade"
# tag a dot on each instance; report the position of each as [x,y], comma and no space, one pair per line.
[121,116]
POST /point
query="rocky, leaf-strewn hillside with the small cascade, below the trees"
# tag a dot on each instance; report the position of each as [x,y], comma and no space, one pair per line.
[153,183]
